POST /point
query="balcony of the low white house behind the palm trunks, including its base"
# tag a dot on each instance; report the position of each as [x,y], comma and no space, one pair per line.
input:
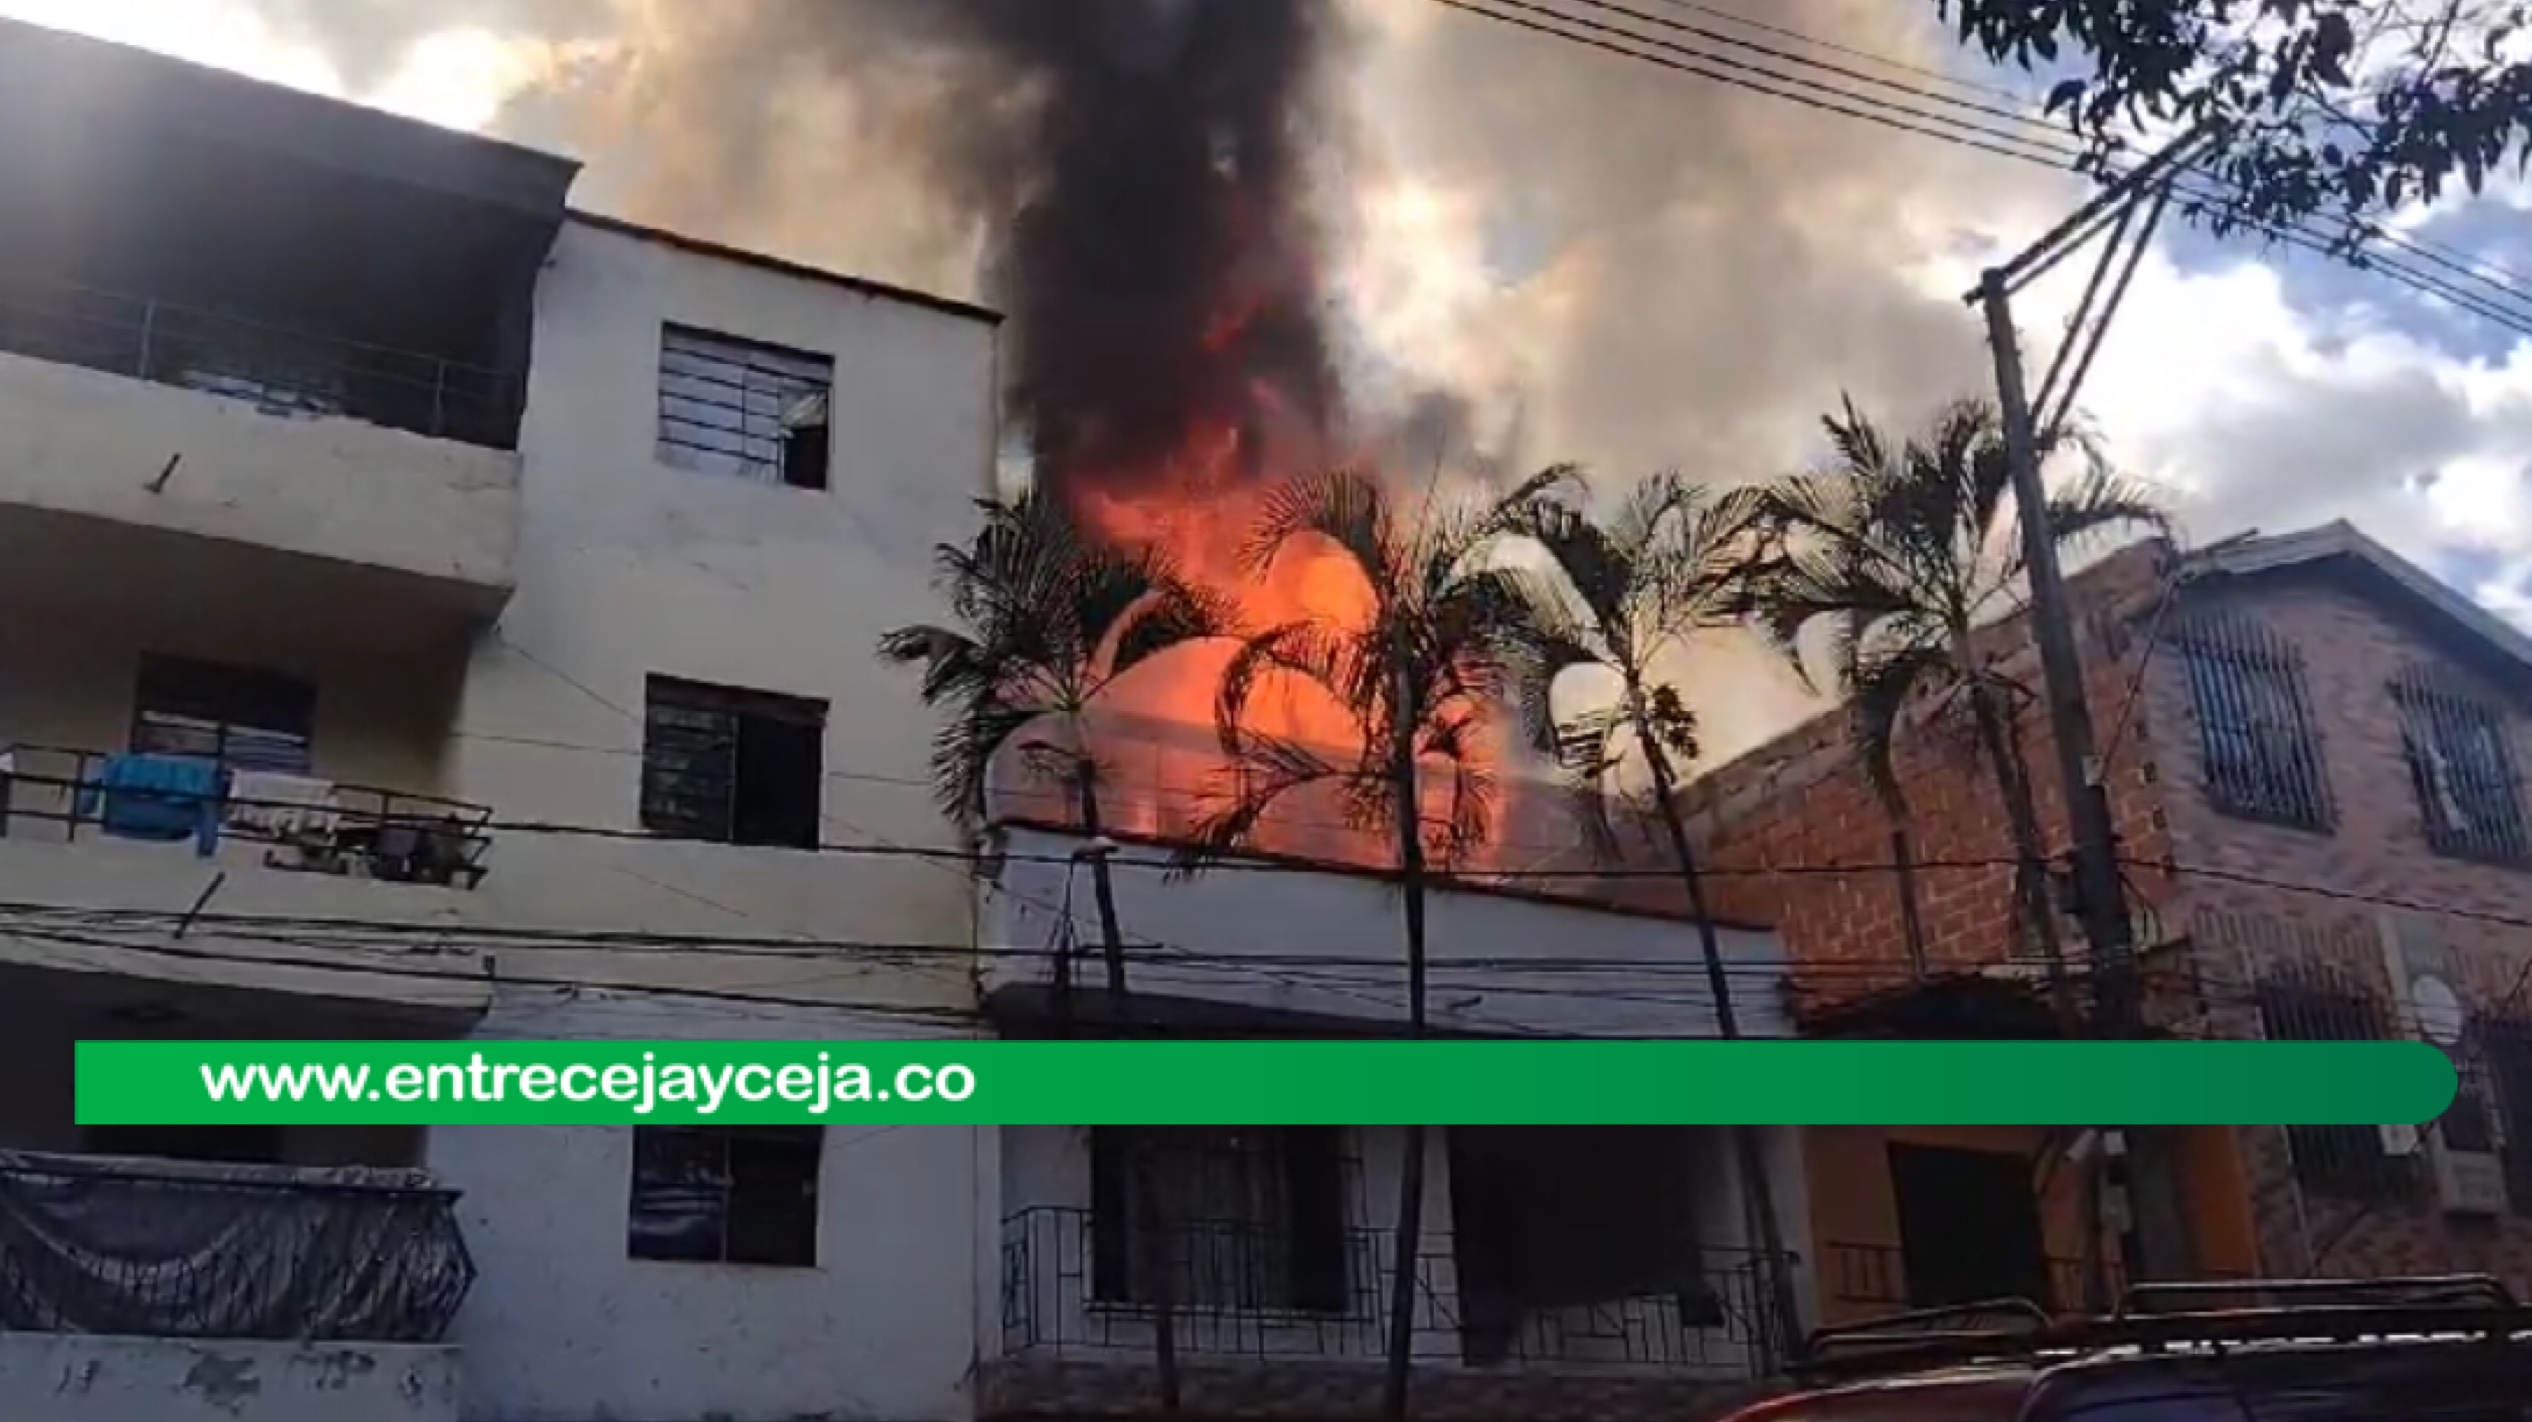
[1072,1350]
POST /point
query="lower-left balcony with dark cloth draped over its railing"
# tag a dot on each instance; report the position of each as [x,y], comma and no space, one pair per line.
[216,1292]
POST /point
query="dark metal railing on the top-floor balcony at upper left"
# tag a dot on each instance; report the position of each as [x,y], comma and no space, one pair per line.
[272,368]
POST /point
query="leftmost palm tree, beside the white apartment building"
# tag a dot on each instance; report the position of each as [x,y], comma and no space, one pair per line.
[1047,621]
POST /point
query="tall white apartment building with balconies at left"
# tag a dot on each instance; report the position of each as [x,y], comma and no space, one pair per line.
[523,576]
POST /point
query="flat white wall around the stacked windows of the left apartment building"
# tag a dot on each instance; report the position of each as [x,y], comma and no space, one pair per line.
[632,568]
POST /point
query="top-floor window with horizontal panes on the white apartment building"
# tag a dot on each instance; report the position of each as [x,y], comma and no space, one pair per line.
[743,409]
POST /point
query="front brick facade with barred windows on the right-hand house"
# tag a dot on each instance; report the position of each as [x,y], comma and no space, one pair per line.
[2262,897]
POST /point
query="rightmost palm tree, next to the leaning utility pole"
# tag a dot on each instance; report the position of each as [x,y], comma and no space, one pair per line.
[1905,553]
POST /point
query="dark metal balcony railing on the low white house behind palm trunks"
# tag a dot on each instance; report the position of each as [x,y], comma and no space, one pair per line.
[1234,1297]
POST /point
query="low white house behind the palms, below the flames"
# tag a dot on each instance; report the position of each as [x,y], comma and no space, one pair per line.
[1561,1271]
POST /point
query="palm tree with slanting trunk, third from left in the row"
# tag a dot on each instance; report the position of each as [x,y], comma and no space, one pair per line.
[1632,591]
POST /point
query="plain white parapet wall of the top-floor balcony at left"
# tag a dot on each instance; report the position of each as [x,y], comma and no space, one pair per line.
[82,442]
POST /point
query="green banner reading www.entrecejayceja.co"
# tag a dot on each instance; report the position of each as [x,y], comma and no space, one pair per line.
[1265,1084]
